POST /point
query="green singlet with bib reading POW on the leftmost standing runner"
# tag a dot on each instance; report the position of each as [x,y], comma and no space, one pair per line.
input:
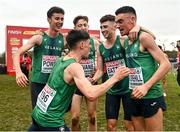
[44,57]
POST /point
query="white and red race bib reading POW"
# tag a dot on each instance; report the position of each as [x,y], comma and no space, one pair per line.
[48,63]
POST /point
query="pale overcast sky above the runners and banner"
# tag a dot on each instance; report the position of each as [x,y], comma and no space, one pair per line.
[162,17]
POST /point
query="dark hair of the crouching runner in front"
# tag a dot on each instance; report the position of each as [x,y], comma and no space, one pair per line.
[75,36]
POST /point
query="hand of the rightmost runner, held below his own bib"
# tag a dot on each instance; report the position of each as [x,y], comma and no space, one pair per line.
[139,92]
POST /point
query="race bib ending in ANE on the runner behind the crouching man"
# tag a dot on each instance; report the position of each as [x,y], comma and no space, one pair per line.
[88,66]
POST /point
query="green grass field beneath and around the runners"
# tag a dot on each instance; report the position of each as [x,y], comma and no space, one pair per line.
[15,107]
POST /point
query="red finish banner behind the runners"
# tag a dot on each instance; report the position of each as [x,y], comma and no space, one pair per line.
[15,36]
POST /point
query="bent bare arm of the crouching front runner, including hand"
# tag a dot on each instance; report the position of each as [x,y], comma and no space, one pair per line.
[76,72]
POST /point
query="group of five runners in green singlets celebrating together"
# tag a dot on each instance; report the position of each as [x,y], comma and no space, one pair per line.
[131,66]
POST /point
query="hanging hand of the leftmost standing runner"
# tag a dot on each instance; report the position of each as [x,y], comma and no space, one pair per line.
[21,79]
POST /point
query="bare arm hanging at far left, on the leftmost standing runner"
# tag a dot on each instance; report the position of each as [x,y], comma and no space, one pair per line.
[21,79]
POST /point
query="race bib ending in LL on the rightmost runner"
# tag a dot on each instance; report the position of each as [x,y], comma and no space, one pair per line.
[135,77]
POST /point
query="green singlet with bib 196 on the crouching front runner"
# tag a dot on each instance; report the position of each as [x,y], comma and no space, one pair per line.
[54,99]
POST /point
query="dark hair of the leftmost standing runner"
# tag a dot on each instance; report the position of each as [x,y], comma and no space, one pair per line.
[53,10]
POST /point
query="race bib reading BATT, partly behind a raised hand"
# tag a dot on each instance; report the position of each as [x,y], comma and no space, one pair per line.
[113,65]
